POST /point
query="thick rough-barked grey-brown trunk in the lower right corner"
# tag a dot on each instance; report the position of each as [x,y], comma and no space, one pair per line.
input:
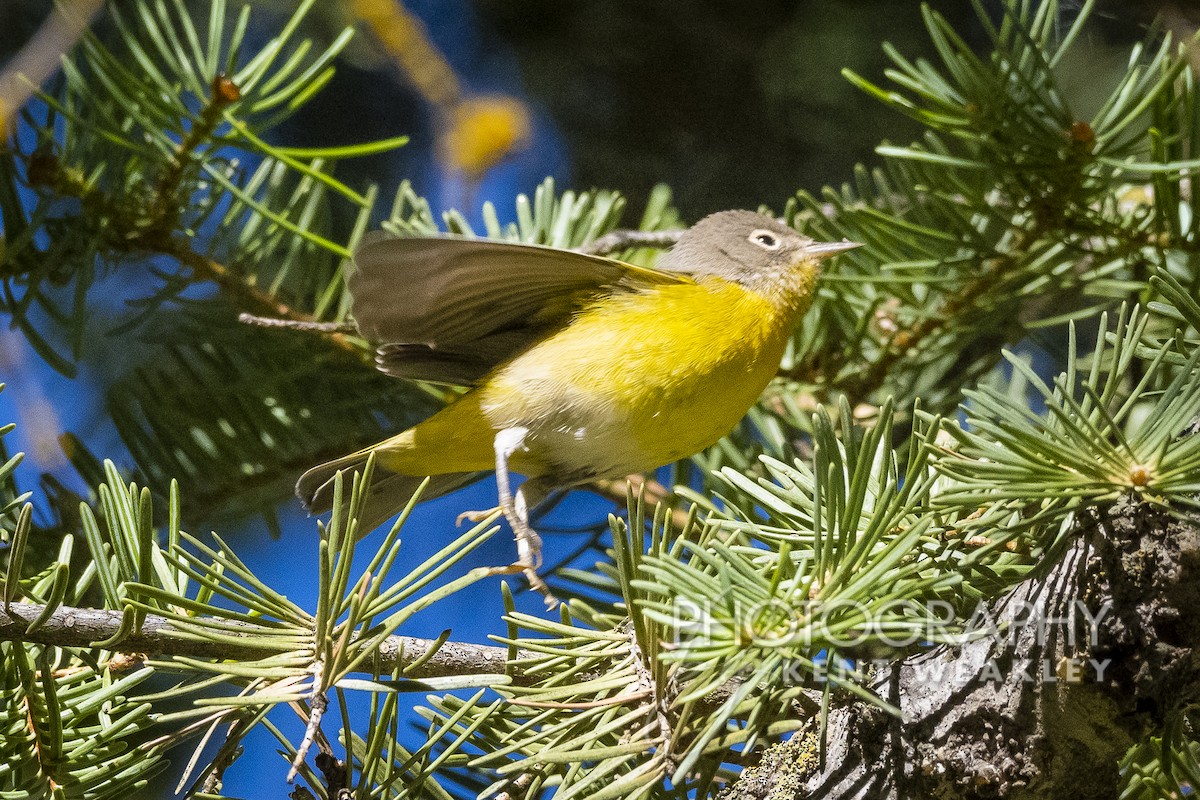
[1016,724]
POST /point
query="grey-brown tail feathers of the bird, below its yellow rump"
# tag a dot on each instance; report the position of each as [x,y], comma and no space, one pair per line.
[387,496]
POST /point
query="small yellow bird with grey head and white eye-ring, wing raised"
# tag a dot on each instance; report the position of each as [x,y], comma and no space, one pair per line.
[581,368]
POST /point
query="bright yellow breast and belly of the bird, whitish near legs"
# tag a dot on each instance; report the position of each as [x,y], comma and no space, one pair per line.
[633,383]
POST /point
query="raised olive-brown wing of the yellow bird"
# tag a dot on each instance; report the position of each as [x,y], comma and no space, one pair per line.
[449,310]
